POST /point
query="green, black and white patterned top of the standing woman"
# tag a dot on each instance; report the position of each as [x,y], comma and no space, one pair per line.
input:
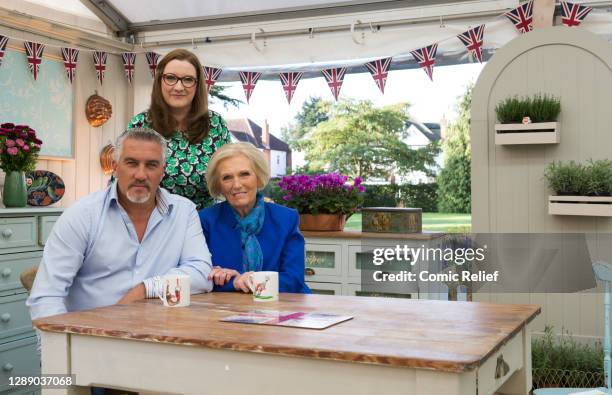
[186,163]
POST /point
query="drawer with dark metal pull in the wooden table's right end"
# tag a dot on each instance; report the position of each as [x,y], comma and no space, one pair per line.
[498,368]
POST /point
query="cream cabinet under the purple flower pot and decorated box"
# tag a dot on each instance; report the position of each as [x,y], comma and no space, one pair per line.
[341,263]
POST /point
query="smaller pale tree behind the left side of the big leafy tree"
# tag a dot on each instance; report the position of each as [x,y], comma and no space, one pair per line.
[314,111]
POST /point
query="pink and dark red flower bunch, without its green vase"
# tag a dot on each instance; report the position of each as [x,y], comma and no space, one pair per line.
[19,147]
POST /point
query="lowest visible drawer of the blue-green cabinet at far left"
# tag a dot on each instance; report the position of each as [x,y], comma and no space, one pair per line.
[18,358]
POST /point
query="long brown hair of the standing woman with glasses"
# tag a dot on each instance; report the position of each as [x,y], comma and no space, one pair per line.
[159,111]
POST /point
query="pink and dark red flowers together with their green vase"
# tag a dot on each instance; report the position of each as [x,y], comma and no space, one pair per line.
[19,148]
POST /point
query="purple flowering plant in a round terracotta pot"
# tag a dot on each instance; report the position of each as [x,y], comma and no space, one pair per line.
[324,201]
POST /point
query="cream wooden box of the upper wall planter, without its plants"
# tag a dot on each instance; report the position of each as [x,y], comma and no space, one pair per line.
[532,133]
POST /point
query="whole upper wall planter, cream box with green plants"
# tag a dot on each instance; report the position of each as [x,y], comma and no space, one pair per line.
[528,120]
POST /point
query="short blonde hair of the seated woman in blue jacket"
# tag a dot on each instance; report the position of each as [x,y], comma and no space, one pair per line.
[248,150]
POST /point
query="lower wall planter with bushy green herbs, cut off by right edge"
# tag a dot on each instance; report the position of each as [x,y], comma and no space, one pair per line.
[580,189]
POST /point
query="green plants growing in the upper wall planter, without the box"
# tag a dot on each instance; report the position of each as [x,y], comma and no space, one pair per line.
[539,108]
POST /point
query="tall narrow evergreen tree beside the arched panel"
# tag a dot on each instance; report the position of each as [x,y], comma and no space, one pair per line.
[454,180]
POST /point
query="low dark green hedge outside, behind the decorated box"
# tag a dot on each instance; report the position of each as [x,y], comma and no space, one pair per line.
[424,196]
